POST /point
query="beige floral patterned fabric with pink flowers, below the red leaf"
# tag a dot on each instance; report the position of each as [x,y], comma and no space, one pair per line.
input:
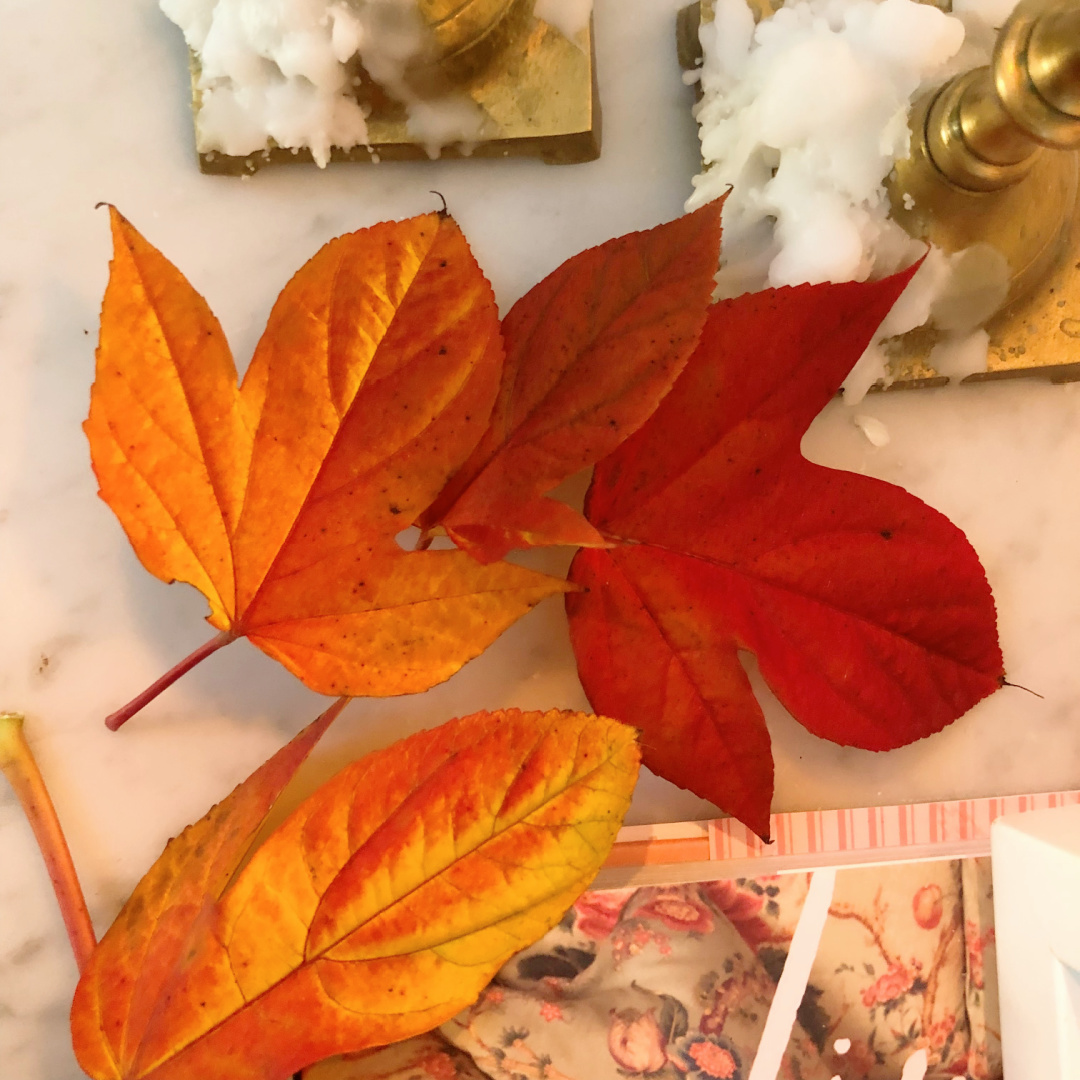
[674,983]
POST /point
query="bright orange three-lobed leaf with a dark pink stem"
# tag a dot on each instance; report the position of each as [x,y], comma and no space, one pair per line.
[280,501]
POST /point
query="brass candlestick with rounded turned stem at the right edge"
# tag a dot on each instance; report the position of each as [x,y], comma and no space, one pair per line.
[993,165]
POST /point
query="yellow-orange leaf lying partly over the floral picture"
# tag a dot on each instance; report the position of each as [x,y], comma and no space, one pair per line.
[380,909]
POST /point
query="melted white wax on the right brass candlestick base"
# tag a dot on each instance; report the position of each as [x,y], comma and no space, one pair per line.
[803,117]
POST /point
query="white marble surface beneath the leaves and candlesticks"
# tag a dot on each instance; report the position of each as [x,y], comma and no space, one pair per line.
[93,106]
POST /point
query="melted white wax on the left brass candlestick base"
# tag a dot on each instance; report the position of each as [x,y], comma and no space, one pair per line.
[282,71]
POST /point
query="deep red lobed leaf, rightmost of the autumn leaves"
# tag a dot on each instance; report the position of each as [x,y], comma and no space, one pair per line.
[869,612]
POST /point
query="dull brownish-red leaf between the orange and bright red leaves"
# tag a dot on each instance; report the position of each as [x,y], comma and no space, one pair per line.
[590,353]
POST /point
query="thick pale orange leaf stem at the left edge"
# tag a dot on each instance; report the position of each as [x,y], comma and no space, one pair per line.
[19,766]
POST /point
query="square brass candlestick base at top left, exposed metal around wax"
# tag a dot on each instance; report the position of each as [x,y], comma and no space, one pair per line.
[536,89]
